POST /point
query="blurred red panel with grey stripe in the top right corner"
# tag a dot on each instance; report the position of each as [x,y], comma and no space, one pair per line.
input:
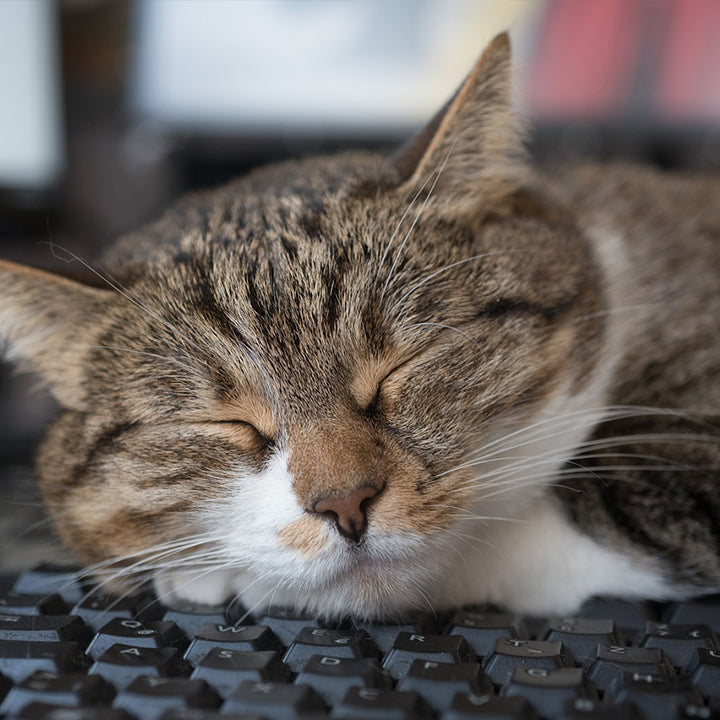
[650,62]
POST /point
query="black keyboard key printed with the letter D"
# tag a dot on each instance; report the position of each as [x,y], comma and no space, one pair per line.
[332,677]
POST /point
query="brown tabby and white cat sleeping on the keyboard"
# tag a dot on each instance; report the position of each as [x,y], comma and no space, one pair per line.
[361,385]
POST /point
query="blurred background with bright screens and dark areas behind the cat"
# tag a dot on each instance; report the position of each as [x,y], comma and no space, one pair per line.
[113,108]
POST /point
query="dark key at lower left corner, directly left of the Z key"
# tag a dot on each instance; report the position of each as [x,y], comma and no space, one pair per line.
[71,690]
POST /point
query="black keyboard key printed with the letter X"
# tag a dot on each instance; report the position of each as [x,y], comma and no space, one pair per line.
[274,701]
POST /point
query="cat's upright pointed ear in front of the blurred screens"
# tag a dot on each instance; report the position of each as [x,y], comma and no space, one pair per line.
[470,153]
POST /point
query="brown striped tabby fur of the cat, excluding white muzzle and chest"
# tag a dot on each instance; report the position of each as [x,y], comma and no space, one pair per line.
[379,318]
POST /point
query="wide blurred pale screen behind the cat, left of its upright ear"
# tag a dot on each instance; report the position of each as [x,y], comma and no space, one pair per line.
[314,67]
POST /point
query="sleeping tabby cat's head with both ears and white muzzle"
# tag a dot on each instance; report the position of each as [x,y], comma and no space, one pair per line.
[310,386]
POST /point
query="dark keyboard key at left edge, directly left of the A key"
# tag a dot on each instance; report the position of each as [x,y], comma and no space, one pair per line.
[19,659]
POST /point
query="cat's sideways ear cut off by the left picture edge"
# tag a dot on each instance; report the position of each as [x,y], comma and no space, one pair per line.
[48,323]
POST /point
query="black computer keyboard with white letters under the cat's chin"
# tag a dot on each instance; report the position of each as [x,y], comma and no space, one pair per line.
[66,654]
